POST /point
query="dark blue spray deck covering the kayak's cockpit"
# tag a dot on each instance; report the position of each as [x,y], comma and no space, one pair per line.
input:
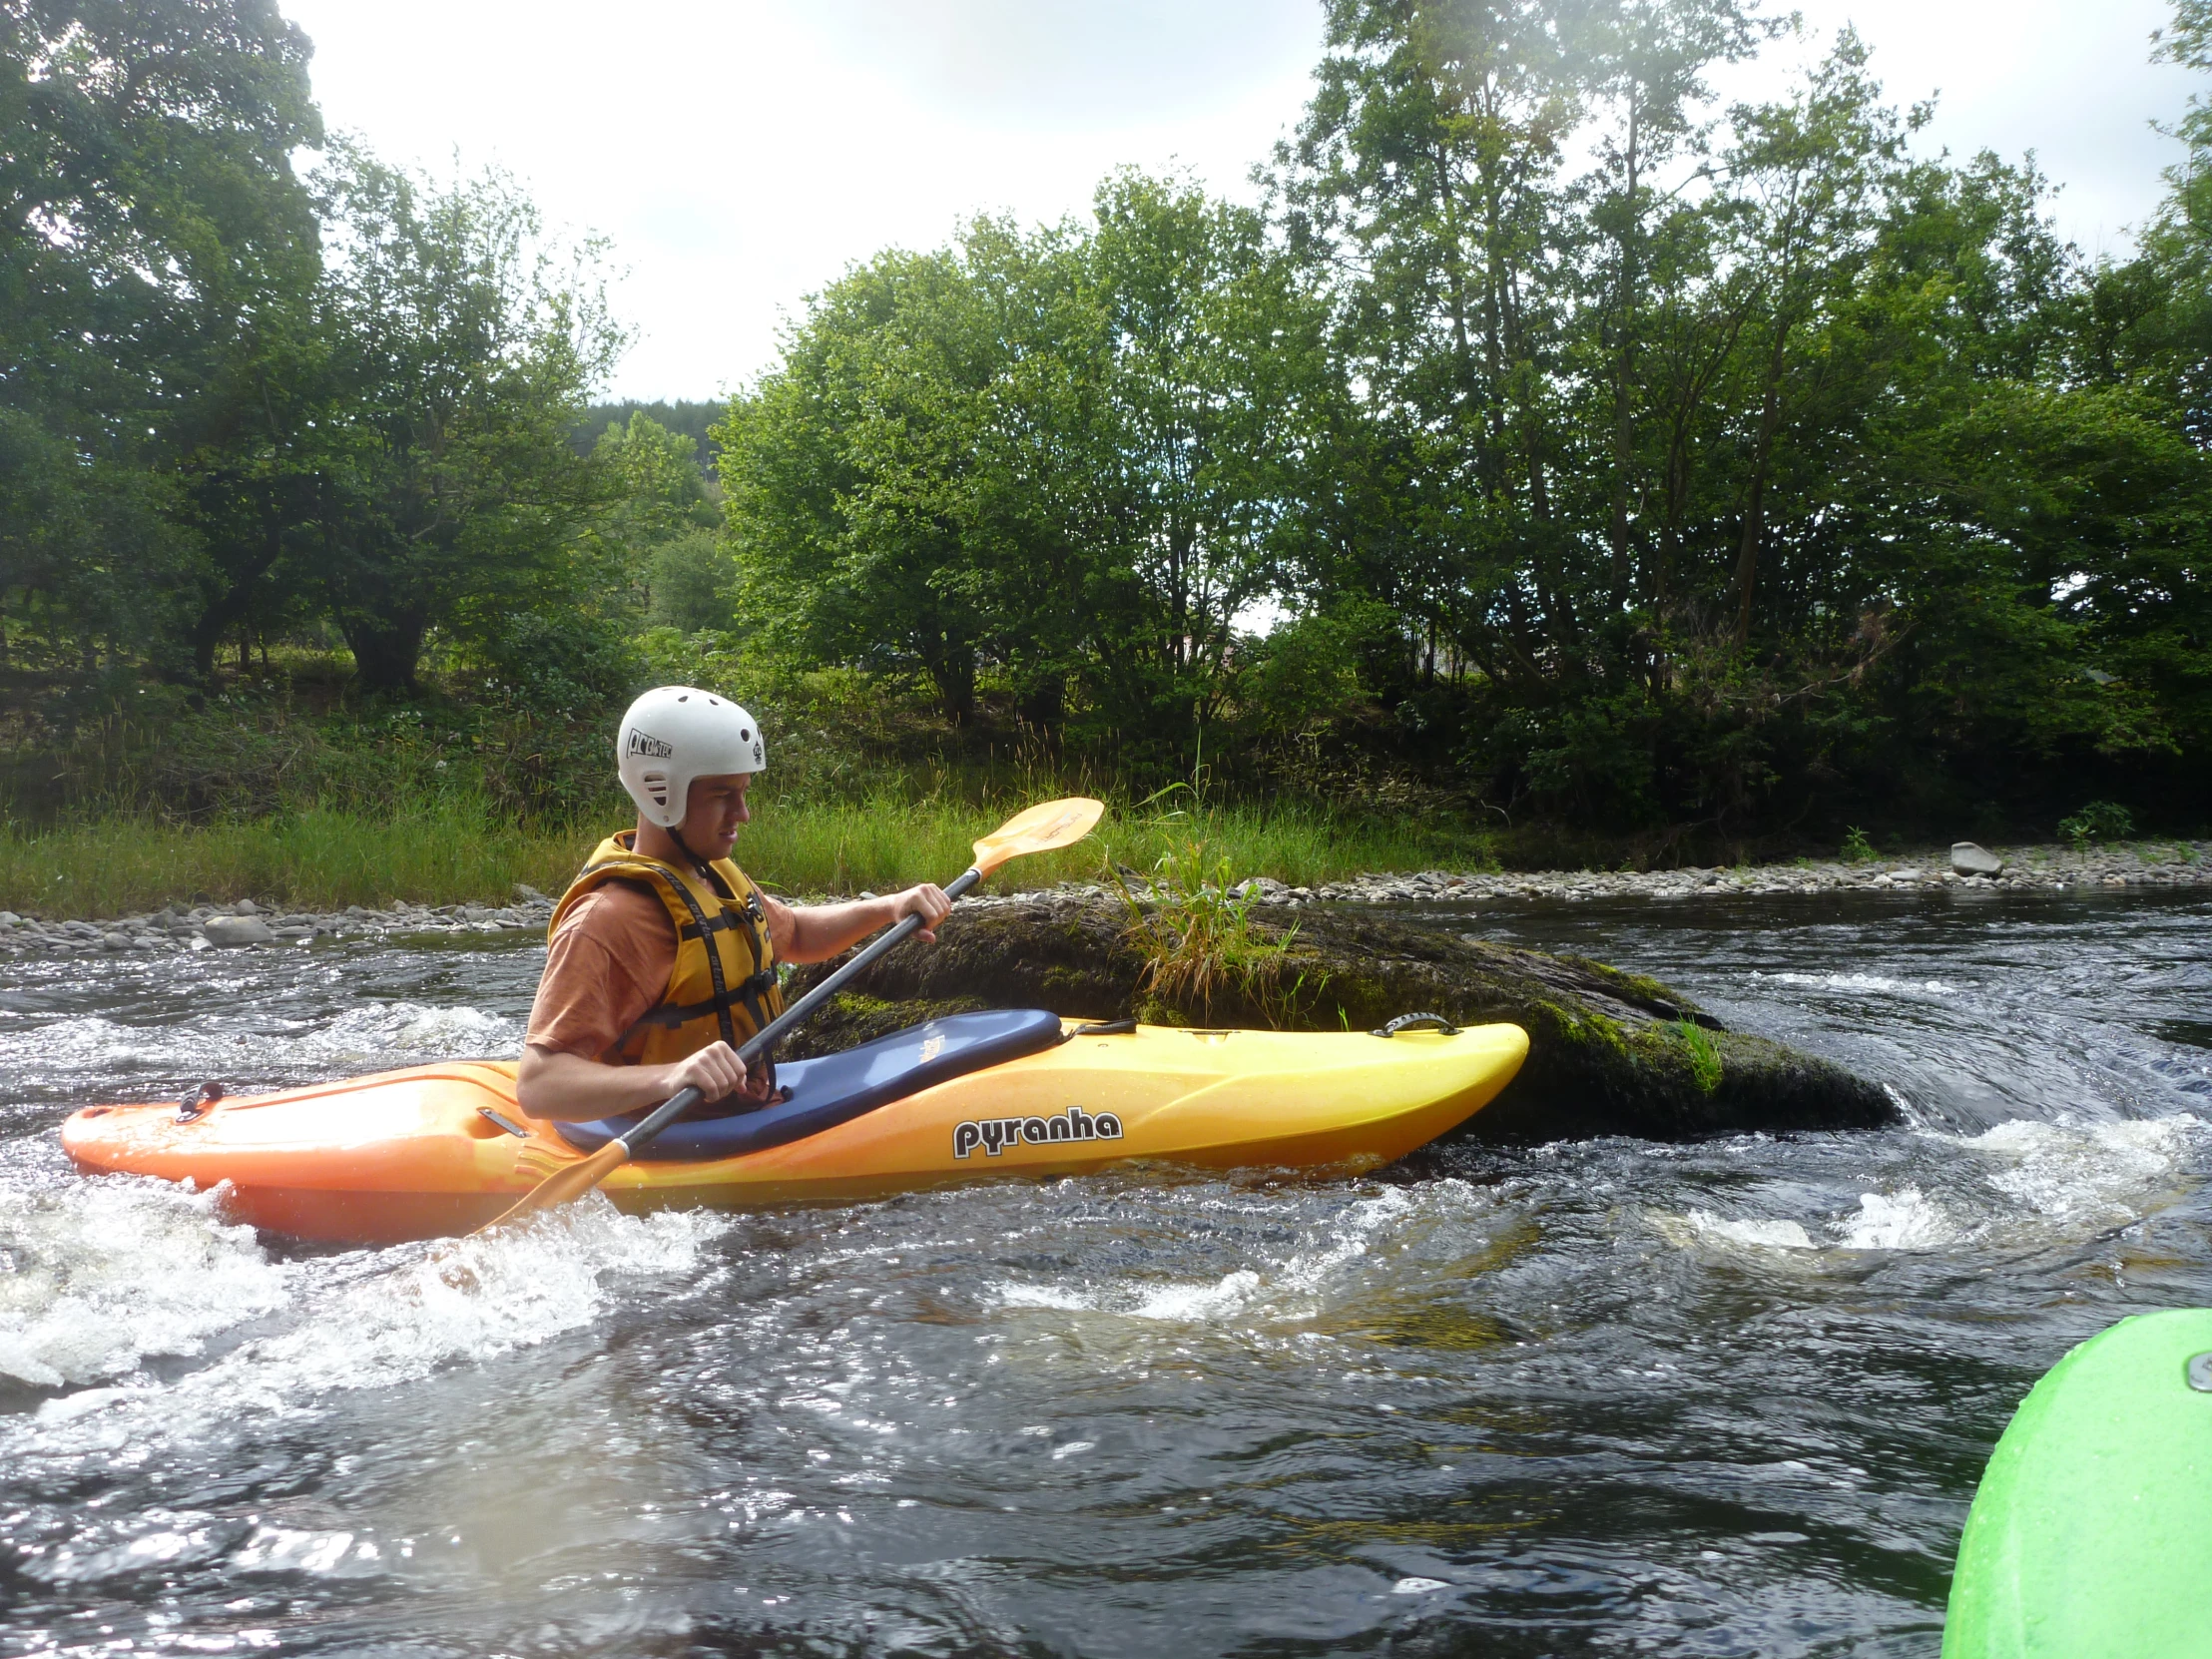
[835,1089]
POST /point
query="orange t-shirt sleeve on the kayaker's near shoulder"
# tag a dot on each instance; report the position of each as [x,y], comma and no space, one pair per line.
[607,966]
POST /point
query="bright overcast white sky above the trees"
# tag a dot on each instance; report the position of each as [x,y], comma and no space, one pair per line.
[740,154]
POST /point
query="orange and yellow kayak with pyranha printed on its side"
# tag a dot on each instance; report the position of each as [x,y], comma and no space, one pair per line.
[444,1149]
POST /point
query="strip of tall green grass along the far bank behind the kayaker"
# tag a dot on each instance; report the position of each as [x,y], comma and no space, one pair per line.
[459,853]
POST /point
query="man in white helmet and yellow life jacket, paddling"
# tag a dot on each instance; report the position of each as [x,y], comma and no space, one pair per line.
[662,952]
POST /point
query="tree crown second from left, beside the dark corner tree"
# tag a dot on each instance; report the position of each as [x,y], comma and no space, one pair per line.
[463,355]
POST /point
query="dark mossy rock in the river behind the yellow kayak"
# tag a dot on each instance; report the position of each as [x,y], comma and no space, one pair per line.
[1609,1052]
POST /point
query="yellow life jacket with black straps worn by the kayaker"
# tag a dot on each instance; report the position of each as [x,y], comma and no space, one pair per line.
[724,983]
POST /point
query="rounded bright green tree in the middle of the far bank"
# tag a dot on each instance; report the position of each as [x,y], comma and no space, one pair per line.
[1072,455]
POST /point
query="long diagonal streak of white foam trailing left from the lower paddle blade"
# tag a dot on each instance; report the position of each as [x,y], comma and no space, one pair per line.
[384,1319]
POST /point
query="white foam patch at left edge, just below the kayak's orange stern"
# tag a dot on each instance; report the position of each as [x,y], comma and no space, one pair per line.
[107,1273]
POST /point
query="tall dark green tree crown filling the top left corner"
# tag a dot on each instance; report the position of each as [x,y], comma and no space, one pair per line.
[156,255]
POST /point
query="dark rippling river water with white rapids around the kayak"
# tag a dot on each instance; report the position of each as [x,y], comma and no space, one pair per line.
[1605,1397]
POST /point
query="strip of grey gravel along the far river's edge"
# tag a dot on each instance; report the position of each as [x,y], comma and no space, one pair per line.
[2147,864]
